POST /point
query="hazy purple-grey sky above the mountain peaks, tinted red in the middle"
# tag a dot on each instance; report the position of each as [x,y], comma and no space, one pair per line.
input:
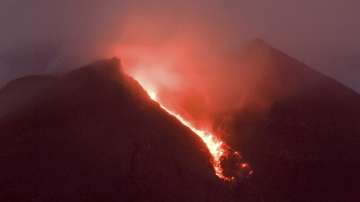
[41,35]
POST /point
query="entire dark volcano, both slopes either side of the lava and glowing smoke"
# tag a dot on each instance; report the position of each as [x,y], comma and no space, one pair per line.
[94,134]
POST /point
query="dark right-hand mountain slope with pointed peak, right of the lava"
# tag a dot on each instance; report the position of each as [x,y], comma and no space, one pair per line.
[305,146]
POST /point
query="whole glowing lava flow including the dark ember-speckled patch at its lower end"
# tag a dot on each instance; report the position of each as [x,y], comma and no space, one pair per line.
[228,164]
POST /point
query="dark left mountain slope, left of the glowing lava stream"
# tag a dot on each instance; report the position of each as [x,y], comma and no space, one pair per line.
[94,135]
